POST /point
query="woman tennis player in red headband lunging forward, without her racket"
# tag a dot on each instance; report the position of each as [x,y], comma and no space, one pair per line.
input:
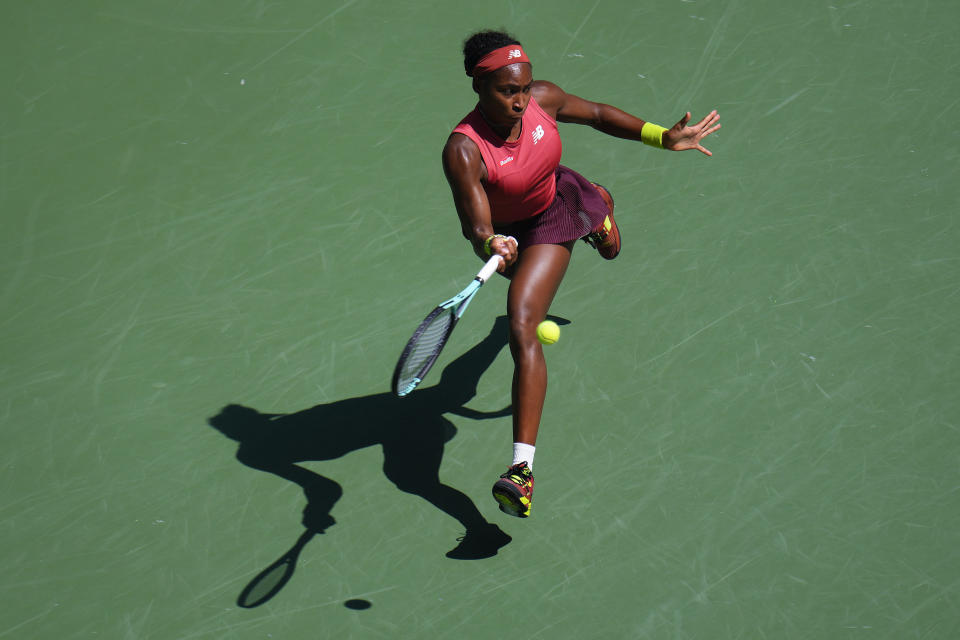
[503,165]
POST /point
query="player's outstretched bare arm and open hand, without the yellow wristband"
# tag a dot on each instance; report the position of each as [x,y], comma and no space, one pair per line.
[566,107]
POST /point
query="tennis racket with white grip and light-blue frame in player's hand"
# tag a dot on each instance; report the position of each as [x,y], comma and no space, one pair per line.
[428,340]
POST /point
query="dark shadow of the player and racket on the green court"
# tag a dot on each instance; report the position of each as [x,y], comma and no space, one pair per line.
[412,432]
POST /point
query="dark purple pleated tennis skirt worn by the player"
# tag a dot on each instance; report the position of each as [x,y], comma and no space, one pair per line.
[576,210]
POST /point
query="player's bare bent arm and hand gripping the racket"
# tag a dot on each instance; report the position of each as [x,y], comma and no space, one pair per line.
[465,171]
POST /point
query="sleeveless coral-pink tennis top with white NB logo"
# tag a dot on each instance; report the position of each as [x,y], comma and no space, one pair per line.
[521,178]
